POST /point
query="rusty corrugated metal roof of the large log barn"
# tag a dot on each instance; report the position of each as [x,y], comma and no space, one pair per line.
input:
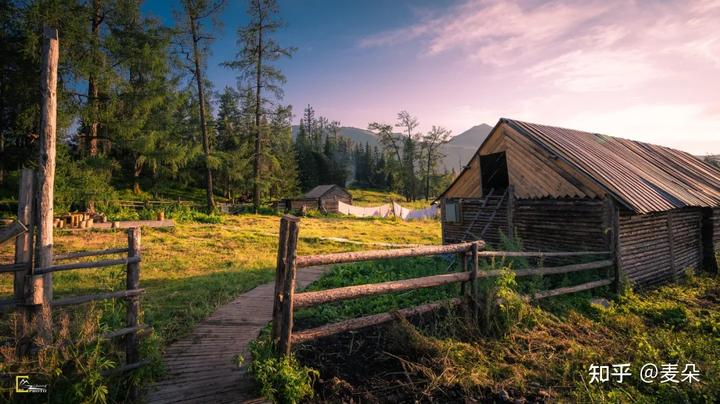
[644,177]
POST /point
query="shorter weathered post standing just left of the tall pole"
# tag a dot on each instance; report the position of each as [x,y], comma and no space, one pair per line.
[24,252]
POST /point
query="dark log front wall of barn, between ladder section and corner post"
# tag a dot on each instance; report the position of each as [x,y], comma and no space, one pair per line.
[571,224]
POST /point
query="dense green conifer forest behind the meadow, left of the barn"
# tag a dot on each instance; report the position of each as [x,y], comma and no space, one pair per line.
[137,112]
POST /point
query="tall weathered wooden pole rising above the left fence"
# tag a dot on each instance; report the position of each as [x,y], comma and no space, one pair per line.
[42,285]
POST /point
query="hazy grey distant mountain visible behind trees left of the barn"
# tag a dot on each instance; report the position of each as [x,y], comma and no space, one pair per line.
[457,152]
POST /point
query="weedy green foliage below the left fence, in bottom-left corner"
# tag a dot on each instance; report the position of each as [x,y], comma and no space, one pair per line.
[72,364]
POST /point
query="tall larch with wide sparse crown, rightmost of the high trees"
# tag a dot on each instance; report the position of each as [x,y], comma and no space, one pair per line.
[258,50]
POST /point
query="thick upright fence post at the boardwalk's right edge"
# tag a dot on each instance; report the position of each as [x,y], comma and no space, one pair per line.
[289,287]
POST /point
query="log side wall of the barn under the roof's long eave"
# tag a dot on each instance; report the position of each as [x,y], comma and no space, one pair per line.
[657,248]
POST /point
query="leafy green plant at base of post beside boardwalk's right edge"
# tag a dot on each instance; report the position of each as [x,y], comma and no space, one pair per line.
[280,378]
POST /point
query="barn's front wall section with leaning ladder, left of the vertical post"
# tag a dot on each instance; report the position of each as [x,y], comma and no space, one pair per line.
[475,218]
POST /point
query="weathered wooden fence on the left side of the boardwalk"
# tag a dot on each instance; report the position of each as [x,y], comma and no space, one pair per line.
[33,293]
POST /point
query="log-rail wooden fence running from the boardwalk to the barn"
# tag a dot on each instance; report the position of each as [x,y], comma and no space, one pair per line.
[286,300]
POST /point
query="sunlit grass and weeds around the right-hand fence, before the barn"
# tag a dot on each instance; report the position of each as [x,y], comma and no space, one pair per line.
[537,352]
